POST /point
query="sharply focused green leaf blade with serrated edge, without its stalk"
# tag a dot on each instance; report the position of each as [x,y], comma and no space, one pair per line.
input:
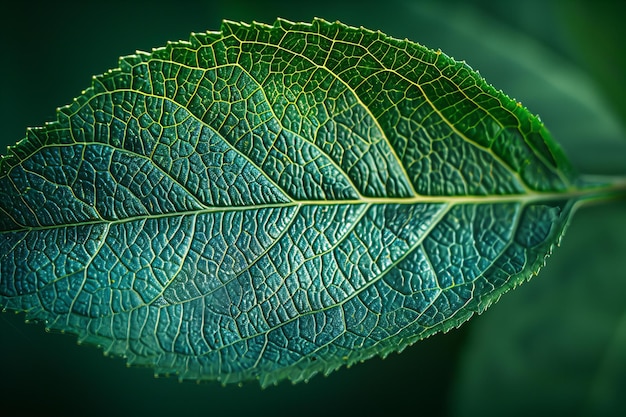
[271,202]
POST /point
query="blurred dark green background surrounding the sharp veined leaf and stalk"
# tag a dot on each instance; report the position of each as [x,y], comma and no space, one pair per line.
[555,346]
